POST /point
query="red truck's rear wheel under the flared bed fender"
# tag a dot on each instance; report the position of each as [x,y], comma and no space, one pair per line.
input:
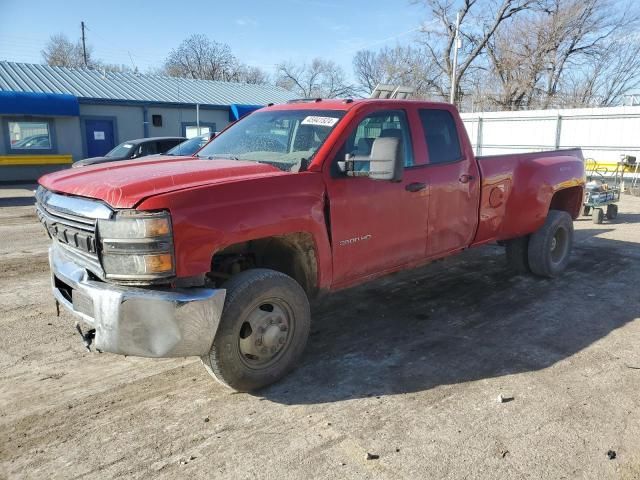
[550,246]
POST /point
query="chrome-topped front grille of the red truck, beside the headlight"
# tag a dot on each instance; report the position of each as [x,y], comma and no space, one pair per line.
[71,223]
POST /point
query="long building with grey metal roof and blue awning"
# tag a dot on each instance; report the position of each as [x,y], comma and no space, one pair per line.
[52,116]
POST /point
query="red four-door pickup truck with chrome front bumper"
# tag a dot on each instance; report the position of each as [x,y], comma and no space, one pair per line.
[217,255]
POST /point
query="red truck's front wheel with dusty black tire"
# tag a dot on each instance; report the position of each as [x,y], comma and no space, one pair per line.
[247,294]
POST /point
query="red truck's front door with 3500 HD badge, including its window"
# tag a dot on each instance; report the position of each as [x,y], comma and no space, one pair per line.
[377,225]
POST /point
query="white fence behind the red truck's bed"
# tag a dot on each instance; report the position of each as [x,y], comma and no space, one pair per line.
[604,134]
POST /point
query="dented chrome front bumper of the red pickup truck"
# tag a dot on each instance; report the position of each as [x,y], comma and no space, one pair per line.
[138,321]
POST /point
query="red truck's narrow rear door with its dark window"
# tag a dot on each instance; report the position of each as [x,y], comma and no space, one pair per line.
[453,181]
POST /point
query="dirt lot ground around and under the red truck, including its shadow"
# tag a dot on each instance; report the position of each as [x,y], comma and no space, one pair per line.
[408,368]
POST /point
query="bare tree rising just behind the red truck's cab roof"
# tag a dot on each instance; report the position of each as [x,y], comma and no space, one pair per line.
[320,78]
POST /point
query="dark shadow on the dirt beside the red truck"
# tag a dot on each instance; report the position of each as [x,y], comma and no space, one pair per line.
[462,319]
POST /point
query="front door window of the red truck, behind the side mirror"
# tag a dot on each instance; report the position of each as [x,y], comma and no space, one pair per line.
[388,123]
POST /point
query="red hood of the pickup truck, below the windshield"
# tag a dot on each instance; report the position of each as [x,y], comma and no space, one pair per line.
[126,183]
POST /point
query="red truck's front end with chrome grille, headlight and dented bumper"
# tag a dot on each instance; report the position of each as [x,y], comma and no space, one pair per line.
[114,270]
